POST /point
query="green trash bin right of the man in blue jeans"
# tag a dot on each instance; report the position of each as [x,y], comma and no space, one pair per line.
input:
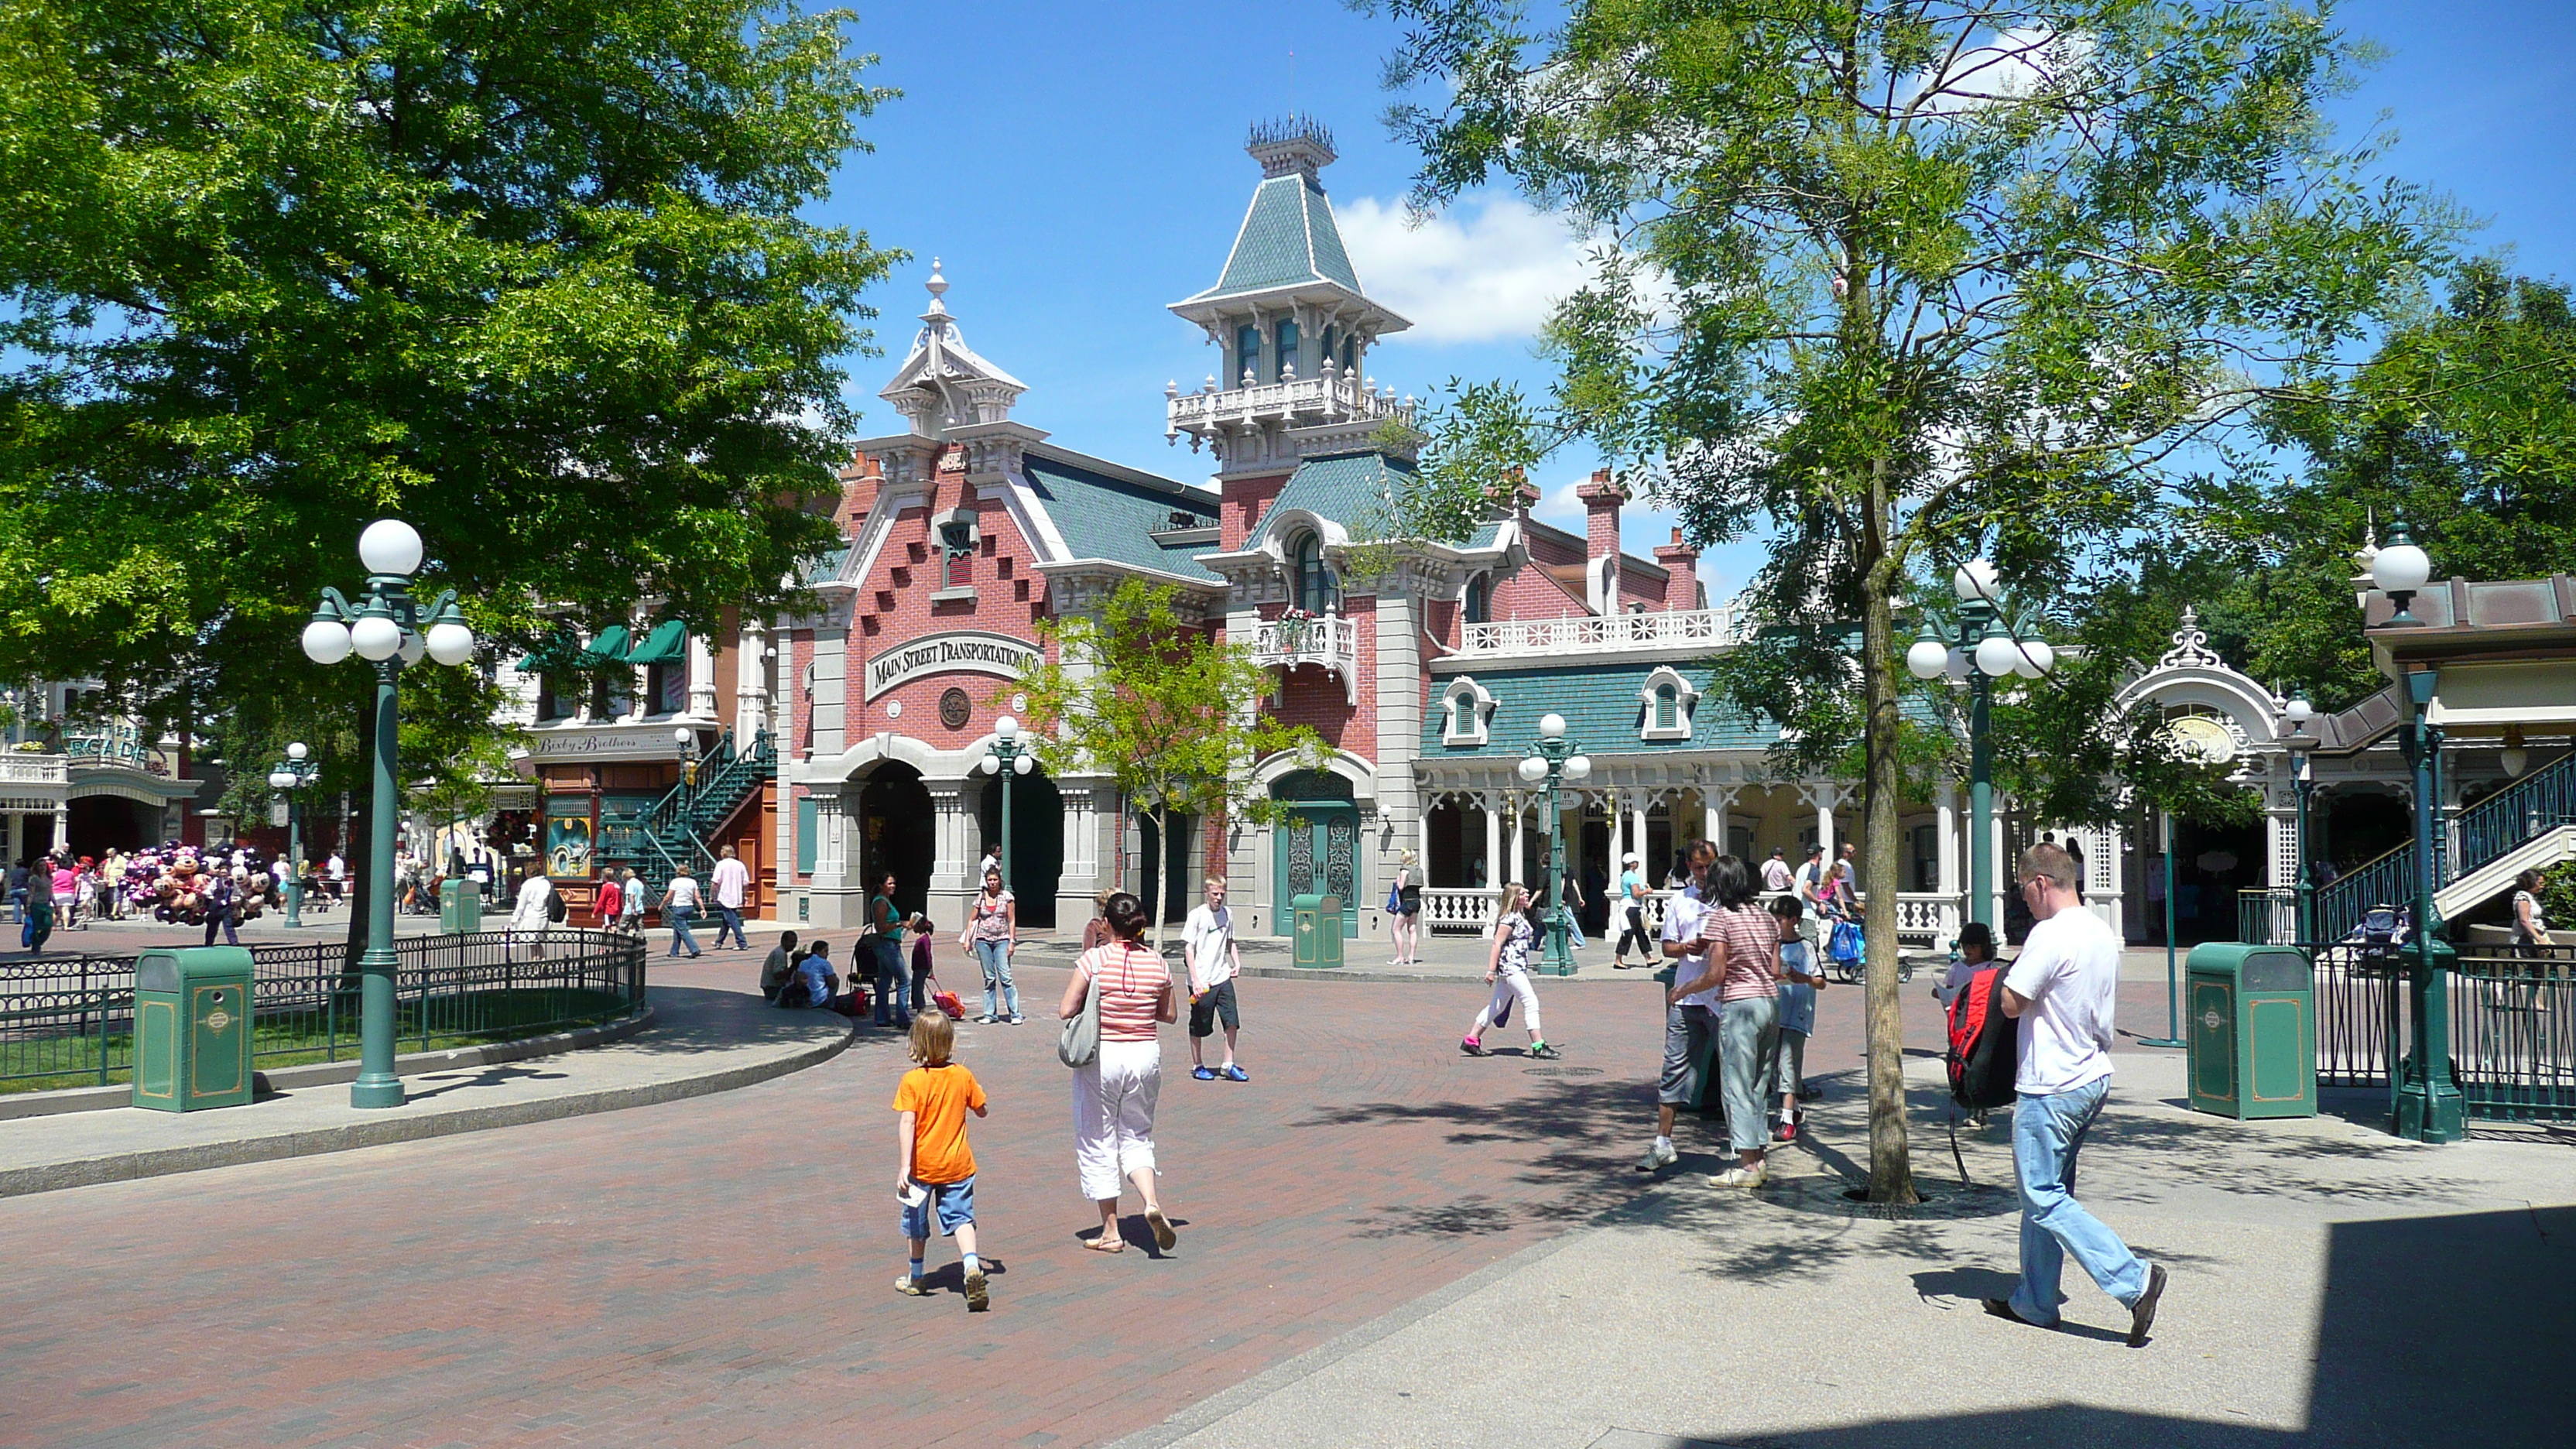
[2250,1025]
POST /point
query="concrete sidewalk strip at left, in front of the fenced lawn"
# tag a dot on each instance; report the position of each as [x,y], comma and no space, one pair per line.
[702,1040]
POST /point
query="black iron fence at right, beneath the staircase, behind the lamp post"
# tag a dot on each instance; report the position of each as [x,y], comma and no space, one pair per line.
[2513,1027]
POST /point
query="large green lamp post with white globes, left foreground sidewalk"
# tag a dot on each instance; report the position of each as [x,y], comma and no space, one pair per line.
[388,628]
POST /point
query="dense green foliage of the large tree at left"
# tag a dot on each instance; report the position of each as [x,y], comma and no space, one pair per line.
[527,277]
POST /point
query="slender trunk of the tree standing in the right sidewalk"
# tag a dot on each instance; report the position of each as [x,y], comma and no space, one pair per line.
[1892,1172]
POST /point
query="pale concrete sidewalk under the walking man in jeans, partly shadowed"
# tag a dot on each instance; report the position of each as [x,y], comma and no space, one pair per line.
[2330,1285]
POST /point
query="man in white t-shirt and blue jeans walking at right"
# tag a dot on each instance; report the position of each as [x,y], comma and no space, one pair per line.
[2062,994]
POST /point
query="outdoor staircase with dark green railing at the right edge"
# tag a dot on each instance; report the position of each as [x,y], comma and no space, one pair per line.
[2523,826]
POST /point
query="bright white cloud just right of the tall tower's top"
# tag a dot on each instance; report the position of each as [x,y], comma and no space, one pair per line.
[1480,272]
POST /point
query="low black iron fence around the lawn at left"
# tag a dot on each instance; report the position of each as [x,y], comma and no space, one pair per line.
[71,1020]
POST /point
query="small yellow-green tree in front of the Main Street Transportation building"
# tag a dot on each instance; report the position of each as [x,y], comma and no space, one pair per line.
[1160,708]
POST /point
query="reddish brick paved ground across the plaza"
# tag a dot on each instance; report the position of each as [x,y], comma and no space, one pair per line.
[717,1272]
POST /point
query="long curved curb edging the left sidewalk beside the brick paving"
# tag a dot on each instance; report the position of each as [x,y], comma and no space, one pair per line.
[164,1162]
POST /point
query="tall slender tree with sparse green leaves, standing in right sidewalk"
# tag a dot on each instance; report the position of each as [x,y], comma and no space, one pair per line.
[1892,280]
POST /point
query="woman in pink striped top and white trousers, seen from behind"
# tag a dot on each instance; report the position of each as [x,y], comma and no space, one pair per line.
[1114,1092]
